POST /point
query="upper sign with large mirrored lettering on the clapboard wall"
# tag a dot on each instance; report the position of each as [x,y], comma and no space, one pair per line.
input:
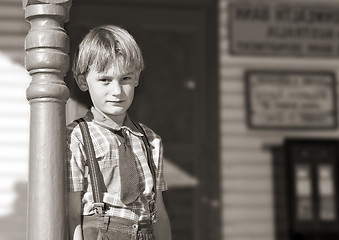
[277,28]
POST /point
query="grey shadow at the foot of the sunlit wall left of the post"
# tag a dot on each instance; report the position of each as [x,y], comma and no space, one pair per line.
[13,226]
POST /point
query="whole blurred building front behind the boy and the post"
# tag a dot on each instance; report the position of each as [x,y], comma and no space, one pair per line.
[244,95]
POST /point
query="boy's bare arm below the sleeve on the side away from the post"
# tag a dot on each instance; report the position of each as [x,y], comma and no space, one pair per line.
[162,228]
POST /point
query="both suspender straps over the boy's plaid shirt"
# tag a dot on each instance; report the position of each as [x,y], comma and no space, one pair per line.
[97,183]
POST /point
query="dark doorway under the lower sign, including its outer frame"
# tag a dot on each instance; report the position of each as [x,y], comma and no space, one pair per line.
[306,189]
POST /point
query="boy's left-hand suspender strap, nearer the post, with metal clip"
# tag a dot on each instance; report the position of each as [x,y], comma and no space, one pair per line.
[93,166]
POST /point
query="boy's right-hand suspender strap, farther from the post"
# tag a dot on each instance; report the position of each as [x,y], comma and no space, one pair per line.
[152,168]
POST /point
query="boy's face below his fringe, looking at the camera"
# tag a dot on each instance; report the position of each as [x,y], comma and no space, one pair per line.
[112,92]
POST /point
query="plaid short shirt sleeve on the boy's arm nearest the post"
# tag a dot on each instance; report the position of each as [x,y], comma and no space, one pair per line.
[75,161]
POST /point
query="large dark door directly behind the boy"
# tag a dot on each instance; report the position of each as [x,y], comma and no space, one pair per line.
[172,99]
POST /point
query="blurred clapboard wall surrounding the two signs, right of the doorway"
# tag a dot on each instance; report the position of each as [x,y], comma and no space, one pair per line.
[246,161]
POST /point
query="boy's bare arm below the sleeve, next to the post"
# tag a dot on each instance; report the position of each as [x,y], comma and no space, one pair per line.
[74,206]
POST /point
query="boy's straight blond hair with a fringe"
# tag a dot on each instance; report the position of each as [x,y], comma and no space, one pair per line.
[105,47]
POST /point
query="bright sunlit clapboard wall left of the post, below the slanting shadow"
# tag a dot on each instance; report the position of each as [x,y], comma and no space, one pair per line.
[14,129]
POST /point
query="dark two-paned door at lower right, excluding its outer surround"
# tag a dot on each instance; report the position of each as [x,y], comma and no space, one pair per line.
[313,189]
